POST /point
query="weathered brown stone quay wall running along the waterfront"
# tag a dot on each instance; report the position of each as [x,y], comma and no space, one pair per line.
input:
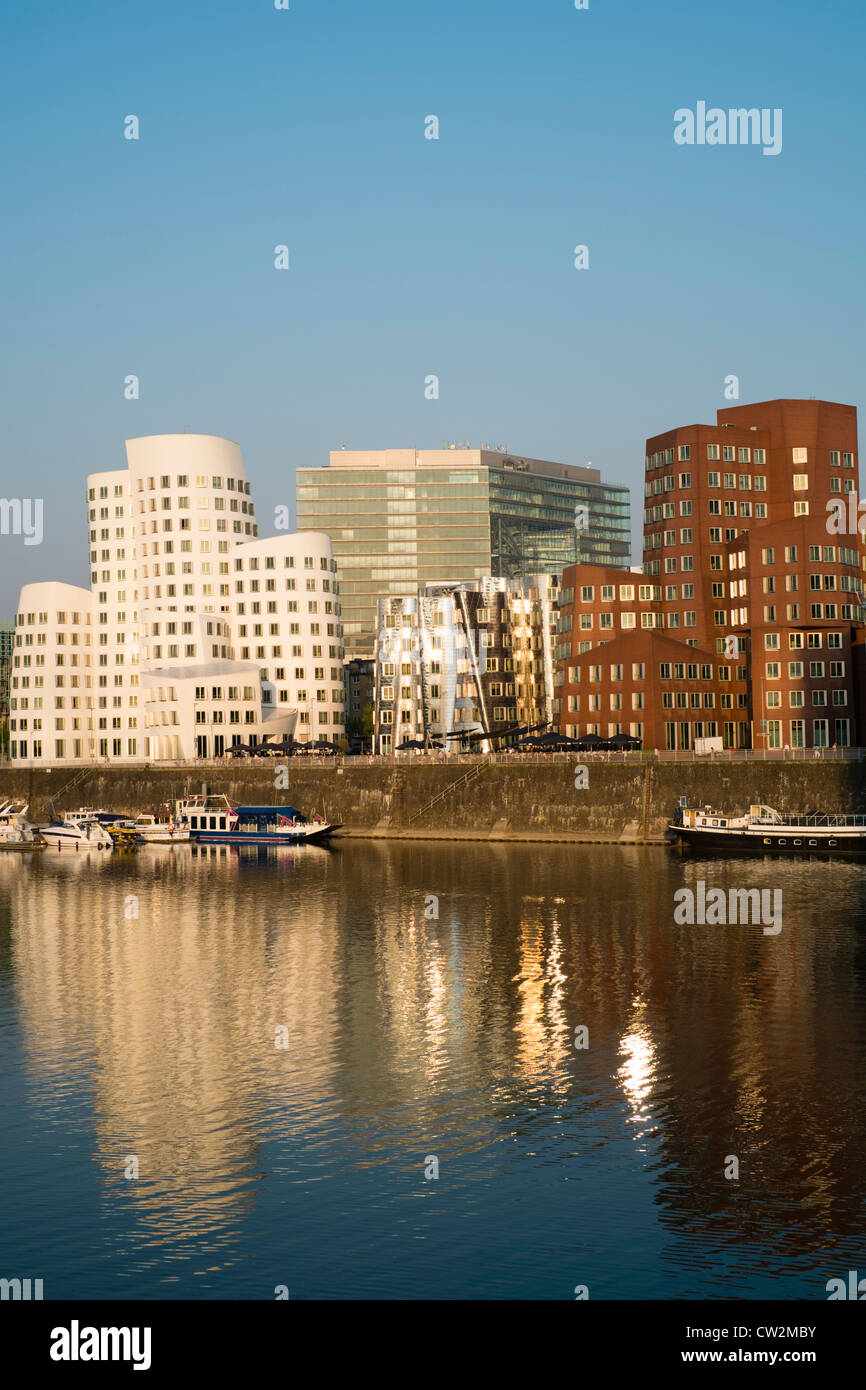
[629,801]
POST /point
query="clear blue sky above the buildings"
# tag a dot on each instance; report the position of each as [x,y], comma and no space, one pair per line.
[412,256]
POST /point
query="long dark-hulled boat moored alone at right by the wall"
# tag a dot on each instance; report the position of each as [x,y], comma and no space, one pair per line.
[768,832]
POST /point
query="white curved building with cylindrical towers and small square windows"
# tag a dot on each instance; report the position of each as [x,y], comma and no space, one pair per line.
[195,635]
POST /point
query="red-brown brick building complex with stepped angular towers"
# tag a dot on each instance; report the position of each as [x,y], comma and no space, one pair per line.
[743,569]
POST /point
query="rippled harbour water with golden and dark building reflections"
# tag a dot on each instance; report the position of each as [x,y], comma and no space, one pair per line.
[430,997]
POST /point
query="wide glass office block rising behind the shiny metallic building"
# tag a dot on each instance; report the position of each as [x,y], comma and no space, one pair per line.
[401,519]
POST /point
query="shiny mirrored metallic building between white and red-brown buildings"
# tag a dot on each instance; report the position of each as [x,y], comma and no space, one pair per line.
[466,658]
